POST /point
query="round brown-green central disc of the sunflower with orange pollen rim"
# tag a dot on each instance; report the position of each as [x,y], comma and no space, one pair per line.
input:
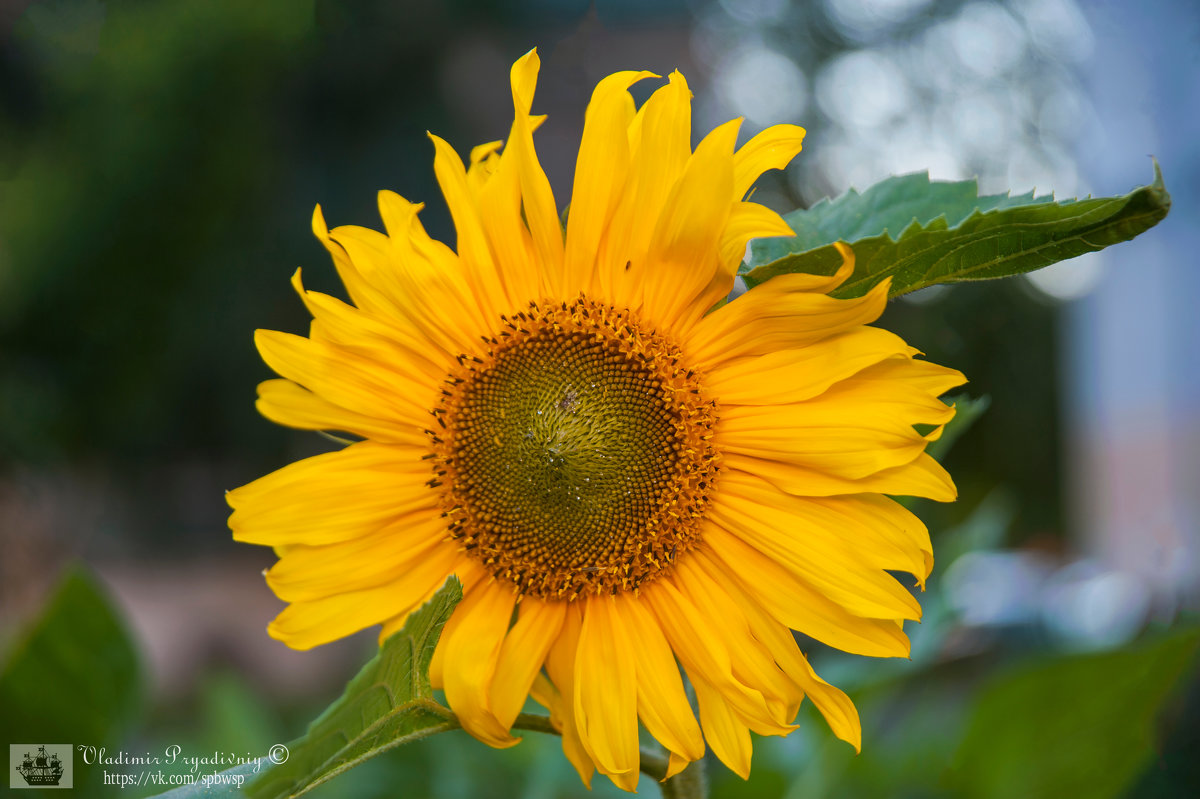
[575,456]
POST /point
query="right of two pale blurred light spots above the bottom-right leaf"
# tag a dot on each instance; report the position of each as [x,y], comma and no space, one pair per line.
[1091,608]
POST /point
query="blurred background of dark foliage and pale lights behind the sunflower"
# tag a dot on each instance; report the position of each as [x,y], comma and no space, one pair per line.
[159,166]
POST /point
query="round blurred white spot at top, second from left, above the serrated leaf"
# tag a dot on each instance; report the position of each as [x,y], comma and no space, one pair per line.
[863,89]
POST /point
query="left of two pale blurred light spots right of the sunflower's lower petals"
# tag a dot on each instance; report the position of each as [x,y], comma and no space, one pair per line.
[997,588]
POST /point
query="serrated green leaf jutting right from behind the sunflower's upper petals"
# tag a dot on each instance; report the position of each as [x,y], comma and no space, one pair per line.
[922,233]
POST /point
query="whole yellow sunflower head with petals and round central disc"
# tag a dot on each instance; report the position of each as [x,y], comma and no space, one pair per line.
[629,476]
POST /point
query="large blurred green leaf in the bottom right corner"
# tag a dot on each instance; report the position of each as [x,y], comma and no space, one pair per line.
[1078,726]
